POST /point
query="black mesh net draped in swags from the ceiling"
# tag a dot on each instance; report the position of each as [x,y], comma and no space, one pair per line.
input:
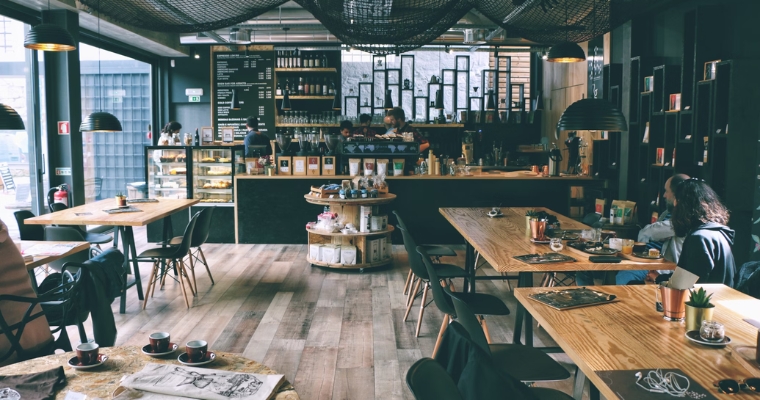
[388,26]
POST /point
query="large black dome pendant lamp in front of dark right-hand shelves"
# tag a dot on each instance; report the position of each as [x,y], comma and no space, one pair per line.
[592,115]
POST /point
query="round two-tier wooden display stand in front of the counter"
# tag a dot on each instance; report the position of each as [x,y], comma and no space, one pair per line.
[349,211]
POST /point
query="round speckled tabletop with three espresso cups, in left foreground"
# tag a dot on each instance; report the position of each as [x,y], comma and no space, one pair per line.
[100,382]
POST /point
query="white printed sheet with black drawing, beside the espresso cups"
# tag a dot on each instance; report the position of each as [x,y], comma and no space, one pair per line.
[165,381]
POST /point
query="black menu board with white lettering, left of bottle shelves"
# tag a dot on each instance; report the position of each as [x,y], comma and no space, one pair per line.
[251,75]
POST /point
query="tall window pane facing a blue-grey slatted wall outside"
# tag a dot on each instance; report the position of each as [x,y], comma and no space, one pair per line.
[121,86]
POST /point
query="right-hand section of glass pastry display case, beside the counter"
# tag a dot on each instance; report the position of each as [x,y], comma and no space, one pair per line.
[214,169]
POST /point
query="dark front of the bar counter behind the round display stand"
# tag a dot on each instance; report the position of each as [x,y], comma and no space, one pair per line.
[272,209]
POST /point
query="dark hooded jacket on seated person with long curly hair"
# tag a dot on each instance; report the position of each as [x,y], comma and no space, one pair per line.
[707,253]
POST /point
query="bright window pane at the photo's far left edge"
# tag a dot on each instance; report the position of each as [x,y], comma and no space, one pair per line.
[16,90]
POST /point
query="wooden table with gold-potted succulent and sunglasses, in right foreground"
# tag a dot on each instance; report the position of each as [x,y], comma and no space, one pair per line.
[630,334]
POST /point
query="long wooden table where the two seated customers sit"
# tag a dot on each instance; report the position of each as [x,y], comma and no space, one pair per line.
[498,240]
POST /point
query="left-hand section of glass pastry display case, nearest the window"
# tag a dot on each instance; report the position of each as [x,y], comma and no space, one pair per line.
[166,172]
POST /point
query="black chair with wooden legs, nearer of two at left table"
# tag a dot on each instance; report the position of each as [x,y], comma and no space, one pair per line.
[174,255]
